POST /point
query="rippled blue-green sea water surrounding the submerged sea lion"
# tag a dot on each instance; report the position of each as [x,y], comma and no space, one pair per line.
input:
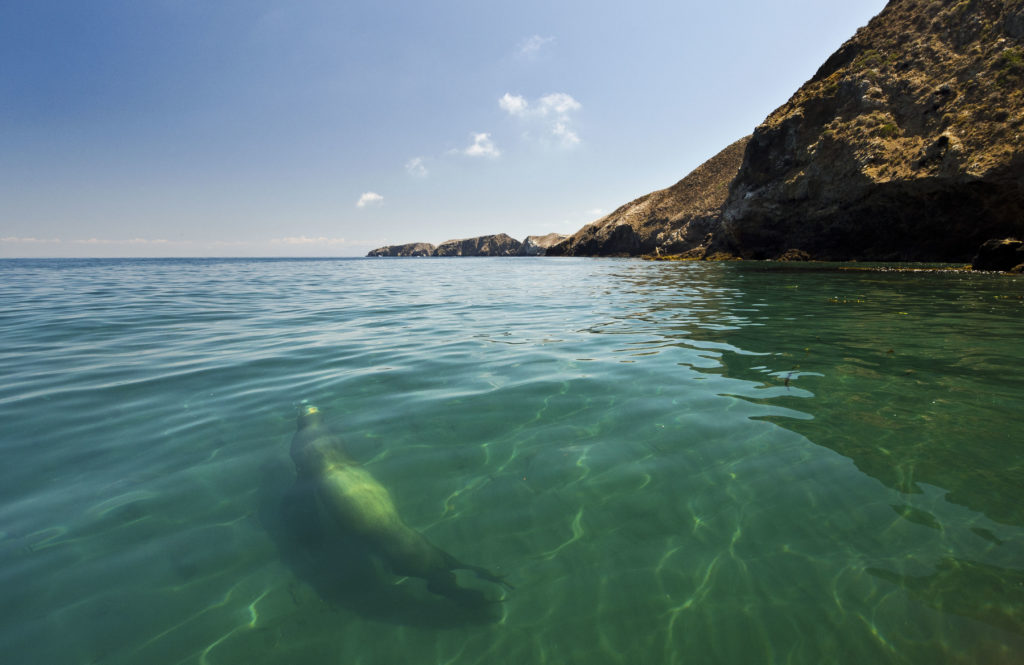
[672,464]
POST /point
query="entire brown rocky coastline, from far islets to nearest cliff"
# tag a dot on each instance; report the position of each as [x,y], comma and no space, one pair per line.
[907,146]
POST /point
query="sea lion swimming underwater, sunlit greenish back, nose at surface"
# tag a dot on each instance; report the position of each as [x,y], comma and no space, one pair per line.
[362,508]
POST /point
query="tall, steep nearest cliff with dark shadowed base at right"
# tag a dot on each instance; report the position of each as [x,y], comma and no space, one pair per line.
[907,145]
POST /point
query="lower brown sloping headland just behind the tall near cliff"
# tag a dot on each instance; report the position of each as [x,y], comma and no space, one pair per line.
[674,221]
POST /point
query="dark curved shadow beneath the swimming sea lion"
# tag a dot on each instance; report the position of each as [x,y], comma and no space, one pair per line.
[343,572]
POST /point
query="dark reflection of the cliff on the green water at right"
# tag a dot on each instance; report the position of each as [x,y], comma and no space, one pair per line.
[916,378]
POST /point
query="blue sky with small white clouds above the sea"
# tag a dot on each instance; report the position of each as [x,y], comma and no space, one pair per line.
[317,129]
